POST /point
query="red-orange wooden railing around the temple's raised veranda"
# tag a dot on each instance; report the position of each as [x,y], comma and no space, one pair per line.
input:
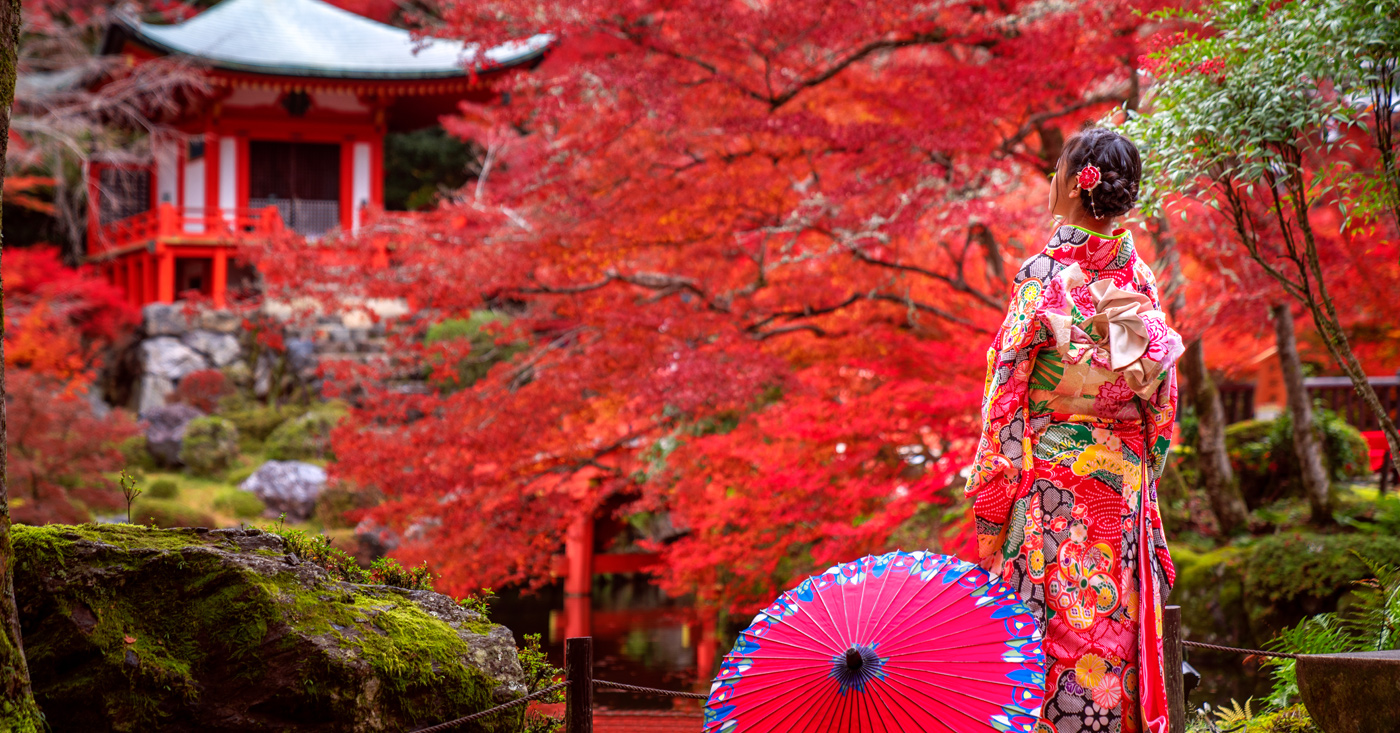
[169,222]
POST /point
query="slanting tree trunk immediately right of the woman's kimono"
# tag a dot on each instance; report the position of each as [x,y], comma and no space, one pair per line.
[1212,458]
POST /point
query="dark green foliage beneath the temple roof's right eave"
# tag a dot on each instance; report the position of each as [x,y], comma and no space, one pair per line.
[419,164]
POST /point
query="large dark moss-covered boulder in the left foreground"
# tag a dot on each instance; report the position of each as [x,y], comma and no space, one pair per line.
[135,629]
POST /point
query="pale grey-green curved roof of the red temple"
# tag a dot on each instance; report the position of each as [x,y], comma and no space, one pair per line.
[310,38]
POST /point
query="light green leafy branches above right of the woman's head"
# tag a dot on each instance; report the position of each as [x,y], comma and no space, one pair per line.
[1231,99]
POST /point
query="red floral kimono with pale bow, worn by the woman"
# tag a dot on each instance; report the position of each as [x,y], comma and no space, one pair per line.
[1077,420]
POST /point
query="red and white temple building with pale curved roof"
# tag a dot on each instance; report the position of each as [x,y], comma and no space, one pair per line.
[289,139]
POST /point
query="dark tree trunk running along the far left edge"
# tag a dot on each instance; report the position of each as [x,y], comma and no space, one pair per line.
[19,713]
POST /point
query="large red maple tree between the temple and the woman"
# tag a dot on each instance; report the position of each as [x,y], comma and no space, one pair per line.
[757,252]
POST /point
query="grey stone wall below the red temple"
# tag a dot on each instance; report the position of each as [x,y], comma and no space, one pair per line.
[176,342]
